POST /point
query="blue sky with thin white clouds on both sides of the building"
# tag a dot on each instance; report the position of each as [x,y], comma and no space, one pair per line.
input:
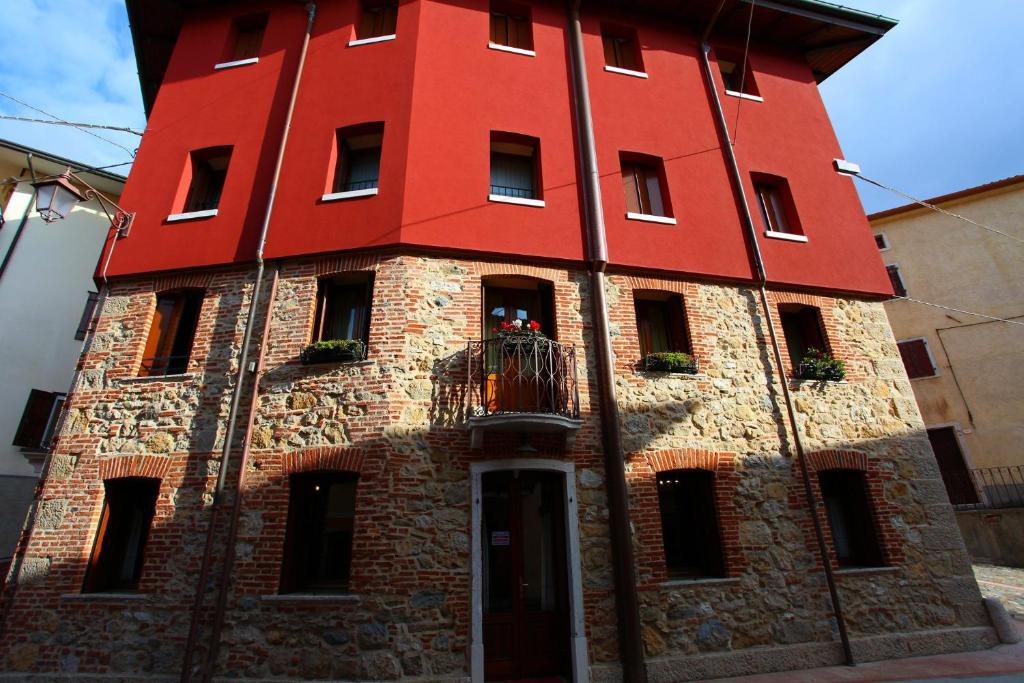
[934,107]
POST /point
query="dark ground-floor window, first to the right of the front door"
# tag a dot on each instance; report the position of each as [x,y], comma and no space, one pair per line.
[690,525]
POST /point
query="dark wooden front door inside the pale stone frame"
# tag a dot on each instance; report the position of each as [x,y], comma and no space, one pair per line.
[525,587]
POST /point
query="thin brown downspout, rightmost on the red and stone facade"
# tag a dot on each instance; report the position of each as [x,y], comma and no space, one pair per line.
[738,181]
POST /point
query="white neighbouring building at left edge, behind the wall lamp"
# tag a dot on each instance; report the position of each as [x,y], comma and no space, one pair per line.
[47,285]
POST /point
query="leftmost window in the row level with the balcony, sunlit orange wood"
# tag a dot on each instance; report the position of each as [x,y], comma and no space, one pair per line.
[170,340]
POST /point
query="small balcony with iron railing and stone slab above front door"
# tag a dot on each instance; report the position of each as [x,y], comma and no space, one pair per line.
[523,386]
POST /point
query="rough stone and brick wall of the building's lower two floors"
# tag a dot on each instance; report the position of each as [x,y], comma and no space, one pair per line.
[399,420]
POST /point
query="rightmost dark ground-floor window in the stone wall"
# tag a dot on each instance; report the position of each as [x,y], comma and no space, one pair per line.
[849,514]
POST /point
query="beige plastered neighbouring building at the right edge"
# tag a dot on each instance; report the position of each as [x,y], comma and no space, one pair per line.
[967,371]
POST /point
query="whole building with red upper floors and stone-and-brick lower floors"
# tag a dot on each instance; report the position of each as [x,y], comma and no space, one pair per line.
[304,445]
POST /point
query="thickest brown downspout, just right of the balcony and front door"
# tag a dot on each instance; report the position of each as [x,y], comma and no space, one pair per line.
[630,641]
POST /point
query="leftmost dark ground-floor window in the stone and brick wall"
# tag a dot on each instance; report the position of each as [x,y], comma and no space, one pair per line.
[124,527]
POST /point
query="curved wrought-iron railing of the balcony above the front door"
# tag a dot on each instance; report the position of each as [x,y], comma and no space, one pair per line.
[523,376]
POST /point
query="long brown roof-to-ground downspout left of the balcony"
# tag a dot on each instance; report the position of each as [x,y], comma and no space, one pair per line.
[240,377]
